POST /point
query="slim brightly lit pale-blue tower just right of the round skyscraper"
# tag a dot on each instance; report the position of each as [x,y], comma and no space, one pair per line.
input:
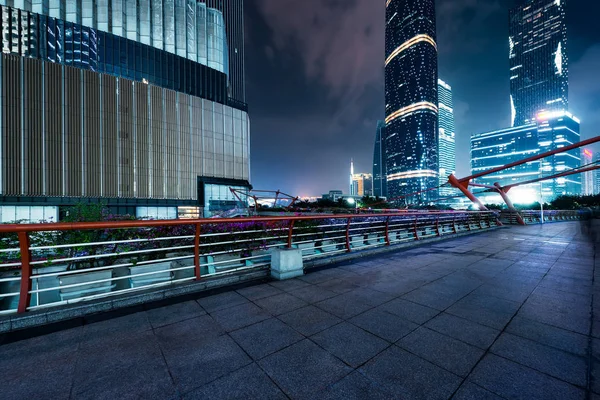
[447,139]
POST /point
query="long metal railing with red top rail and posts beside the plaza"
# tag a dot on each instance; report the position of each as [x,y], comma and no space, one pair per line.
[45,265]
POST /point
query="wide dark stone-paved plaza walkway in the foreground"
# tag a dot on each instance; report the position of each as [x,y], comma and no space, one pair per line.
[504,314]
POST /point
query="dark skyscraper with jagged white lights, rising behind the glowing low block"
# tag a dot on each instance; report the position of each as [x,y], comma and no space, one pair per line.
[538,59]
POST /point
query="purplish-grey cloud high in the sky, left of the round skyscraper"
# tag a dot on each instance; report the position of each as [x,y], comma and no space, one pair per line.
[341,43]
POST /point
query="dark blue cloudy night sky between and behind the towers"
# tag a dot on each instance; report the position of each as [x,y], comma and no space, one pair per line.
[315,79]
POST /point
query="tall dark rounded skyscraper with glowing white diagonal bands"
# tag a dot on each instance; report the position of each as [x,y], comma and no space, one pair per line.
[411,98]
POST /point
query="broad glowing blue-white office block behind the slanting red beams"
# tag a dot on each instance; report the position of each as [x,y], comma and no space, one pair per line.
[550,131]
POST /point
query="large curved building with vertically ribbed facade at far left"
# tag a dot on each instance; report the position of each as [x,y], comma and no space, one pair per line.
[139,105]
